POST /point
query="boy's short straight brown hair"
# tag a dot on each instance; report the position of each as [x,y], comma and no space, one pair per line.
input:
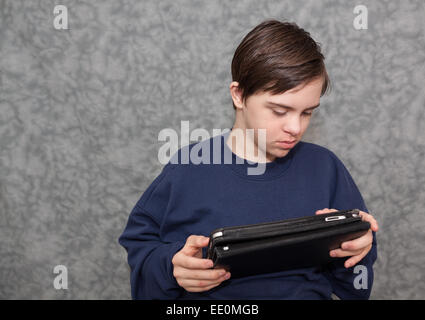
[277,56]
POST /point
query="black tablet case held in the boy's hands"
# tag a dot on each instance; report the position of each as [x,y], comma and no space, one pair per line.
[282,245]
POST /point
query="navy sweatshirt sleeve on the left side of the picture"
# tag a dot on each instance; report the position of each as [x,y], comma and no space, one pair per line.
[149,257]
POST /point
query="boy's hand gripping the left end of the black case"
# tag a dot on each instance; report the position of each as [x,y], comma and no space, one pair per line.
[192,272]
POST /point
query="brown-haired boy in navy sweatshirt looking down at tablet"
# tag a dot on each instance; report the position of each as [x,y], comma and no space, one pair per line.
[278,77]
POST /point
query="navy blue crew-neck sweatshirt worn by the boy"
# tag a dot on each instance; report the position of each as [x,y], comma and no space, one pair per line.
[194,198]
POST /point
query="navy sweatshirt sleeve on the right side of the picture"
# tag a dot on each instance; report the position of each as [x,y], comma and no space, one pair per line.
[354,282]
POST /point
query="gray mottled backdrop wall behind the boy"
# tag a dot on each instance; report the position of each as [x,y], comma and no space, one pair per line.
[81,109]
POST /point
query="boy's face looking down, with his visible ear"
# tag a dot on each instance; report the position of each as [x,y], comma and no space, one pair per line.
[282,123]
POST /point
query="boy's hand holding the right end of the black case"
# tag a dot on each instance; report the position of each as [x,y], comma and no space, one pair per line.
[357,248]
